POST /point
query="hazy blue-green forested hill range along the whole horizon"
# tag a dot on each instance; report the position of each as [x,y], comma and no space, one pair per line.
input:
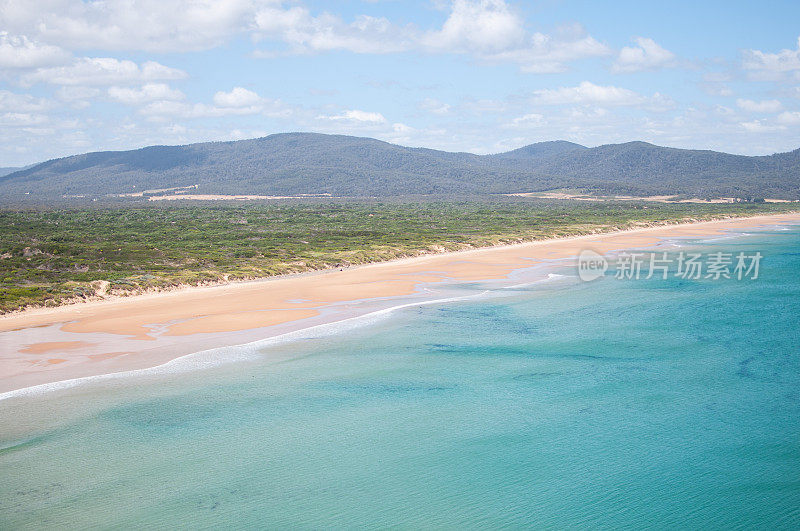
[309,163]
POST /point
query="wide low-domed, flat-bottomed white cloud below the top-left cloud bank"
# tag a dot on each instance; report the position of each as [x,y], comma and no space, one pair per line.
[103,71]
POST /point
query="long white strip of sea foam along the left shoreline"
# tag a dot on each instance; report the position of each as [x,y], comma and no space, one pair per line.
[218,356]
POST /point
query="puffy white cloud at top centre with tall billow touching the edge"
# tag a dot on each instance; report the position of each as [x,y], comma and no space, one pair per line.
[486,29]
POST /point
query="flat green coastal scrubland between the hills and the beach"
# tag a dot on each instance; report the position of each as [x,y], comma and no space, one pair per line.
[50,256]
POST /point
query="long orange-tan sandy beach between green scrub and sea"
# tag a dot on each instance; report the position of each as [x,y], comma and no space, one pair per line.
[48,345]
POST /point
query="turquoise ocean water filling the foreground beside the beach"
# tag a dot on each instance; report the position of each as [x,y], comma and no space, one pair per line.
[651,403]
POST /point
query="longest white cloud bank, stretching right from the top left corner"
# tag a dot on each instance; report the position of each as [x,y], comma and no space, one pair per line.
[486,29]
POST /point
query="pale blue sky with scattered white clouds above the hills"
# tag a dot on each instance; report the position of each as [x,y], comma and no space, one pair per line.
[468,75]
